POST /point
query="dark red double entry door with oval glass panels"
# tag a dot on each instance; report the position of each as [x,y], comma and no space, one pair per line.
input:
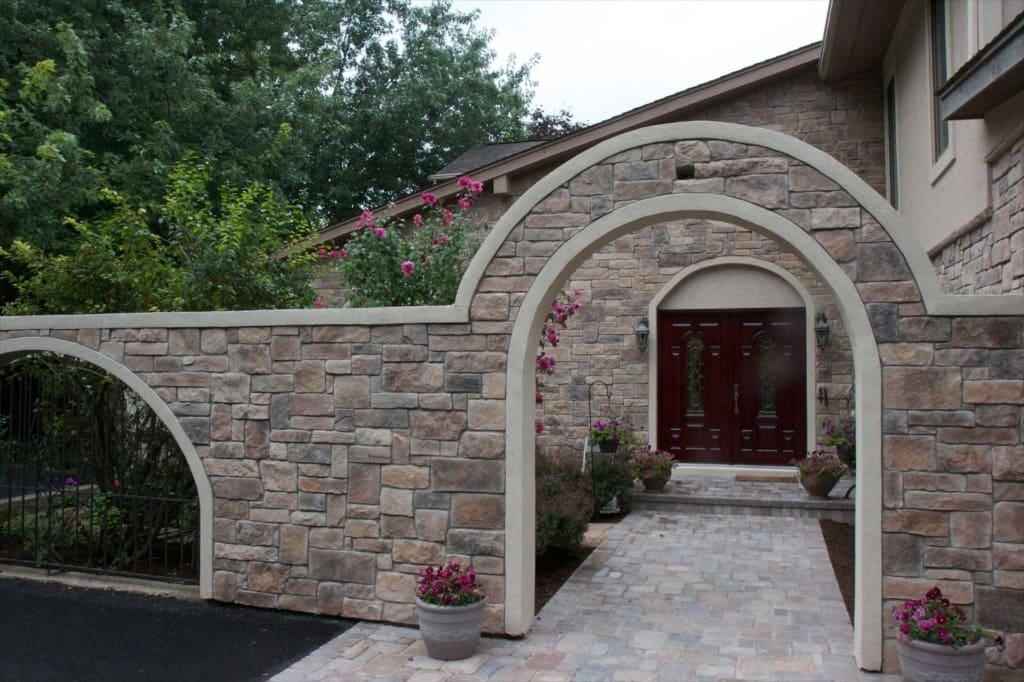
[732,386]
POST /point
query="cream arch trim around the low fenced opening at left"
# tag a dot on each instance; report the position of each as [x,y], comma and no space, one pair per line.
[25,346]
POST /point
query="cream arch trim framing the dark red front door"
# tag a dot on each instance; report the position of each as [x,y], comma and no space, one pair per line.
[743,262]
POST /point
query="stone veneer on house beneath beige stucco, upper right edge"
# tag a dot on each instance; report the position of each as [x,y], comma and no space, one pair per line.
[991,260]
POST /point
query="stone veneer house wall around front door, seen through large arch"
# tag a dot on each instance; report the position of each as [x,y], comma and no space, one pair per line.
[617,286]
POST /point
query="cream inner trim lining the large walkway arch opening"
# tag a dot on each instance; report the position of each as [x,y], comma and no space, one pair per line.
[521,438]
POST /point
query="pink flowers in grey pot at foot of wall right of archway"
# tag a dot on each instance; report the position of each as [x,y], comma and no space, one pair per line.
[935,642]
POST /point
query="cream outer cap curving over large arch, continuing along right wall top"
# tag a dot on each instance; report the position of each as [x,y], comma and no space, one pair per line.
[936,303]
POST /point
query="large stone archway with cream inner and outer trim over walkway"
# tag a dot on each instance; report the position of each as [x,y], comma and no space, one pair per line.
[842,230]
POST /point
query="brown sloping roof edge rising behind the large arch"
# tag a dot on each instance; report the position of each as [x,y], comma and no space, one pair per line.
[661,111]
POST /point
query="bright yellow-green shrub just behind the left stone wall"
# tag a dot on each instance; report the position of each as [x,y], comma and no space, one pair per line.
[216,258]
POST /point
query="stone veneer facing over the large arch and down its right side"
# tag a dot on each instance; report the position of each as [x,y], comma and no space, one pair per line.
[953,387]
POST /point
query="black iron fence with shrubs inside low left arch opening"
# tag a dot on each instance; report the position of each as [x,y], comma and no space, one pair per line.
[91,480]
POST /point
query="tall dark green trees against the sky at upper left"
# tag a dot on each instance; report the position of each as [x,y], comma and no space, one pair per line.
[334,104]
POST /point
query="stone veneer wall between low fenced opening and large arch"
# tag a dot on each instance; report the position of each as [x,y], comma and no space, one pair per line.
[343,459]
